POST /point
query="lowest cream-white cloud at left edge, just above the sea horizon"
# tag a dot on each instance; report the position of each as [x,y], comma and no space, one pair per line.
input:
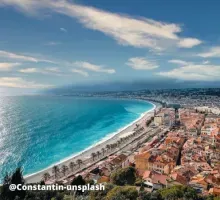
[17,82]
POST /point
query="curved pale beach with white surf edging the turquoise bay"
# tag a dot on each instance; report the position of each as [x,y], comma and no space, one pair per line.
[108,139]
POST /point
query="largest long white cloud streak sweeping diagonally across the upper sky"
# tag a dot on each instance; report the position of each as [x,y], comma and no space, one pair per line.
[137,32]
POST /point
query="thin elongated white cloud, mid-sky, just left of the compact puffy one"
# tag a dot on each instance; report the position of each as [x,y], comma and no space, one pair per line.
[93,67]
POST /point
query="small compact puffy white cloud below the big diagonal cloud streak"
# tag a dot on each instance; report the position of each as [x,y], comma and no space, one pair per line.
[140,63]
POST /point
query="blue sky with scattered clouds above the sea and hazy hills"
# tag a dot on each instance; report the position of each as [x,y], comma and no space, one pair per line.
[52,43]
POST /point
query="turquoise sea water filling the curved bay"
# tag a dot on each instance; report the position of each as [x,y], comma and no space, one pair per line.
[38,131]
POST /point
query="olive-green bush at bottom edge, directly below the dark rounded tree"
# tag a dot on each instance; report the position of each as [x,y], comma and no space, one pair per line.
[122,193]
